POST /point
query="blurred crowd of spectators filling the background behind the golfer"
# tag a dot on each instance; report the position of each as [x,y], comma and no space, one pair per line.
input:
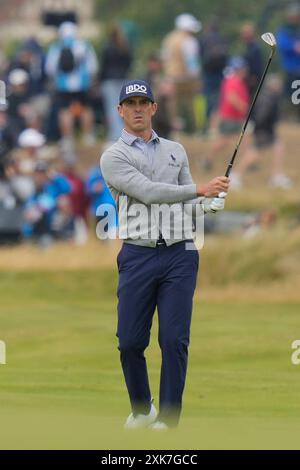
[62,94]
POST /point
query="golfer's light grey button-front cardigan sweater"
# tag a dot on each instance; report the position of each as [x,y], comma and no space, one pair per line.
[150,194]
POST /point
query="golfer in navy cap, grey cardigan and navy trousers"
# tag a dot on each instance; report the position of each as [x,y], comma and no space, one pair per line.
[158,263]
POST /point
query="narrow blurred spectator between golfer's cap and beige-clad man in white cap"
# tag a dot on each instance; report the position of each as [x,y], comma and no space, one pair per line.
[162,90]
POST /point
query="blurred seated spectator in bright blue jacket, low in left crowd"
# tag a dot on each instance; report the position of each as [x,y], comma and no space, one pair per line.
[48,213]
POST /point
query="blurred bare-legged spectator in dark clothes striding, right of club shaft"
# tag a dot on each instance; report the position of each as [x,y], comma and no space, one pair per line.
[265,118]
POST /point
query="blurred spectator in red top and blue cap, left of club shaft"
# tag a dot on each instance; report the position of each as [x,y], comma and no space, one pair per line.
[233,107]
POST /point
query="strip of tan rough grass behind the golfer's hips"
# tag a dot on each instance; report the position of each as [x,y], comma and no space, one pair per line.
[265,262]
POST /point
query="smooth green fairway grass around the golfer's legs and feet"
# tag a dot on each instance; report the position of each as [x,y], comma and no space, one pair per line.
[62,386]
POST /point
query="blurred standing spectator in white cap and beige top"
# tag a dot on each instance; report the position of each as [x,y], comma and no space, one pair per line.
[181,60]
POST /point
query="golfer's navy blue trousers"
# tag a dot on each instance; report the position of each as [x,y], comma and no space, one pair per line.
[162,277]
